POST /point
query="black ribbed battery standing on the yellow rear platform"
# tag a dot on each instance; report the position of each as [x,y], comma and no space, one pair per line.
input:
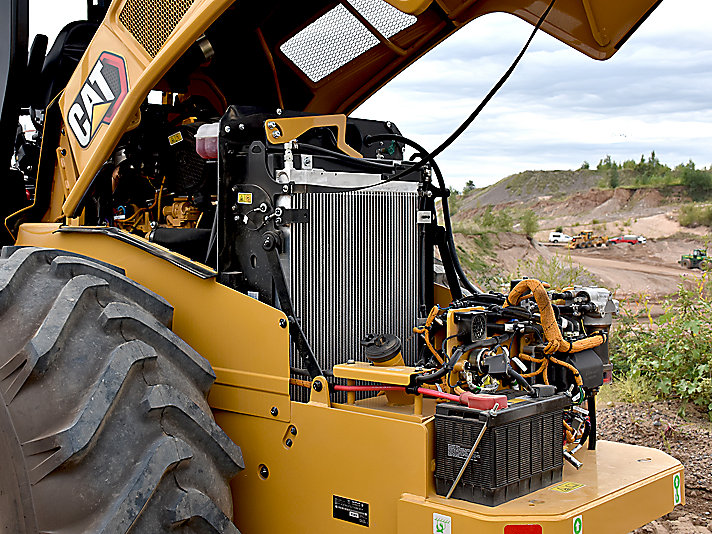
[520,452]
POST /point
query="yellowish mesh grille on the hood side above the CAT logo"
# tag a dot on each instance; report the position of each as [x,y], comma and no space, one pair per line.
[152,21]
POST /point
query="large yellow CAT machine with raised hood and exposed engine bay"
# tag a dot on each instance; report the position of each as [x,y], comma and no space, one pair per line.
[218,309]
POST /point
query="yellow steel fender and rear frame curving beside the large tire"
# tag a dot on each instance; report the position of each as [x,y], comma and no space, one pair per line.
[369,451]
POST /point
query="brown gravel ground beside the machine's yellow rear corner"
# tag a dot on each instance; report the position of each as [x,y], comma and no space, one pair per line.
[689,439]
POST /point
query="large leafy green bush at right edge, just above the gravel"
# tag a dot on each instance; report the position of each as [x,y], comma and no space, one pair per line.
[674,352]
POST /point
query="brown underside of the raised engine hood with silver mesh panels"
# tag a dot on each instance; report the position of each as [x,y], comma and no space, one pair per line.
[342,52]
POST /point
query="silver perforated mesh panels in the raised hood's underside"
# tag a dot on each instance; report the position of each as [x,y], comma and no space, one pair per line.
[337,37]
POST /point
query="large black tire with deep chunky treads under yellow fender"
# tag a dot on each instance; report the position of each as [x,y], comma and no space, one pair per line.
[104,422]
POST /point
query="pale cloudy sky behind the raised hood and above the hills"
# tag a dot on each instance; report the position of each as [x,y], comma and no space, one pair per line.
[558,109]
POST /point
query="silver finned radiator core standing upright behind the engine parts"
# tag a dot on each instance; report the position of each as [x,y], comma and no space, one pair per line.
[354,271]
